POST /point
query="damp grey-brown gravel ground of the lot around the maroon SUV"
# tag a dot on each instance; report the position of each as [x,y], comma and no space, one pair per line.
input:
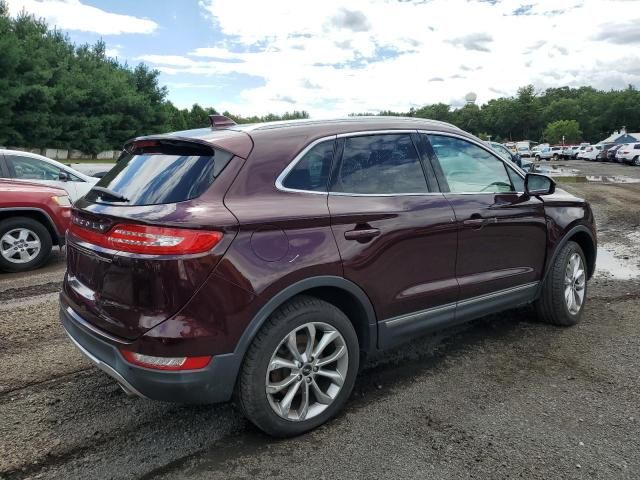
[503,397]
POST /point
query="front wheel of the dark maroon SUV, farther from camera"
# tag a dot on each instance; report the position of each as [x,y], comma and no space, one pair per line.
[564,292]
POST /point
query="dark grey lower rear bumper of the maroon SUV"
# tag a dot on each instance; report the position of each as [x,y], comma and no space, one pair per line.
[213,384]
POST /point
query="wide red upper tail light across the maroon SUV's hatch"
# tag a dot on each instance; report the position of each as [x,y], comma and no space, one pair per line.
[149,239]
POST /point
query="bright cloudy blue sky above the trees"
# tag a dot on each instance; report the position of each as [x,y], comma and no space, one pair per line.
[335,57]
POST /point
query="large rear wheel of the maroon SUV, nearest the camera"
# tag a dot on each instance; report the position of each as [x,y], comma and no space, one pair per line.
[300,368]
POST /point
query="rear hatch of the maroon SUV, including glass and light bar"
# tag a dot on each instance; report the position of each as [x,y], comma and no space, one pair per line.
[147,236]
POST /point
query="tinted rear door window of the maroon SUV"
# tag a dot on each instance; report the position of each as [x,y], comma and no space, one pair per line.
[379,164]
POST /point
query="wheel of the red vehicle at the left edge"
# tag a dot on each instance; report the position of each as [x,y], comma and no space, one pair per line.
[25,244]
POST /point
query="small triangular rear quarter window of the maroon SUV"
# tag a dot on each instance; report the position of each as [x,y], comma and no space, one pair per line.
[311,173]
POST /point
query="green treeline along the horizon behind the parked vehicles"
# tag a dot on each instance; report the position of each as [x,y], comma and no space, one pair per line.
[54,93]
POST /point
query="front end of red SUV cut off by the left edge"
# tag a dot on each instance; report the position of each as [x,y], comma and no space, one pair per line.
[33,217]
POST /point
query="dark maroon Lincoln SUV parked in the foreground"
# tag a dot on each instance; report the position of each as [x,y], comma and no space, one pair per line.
[266,259]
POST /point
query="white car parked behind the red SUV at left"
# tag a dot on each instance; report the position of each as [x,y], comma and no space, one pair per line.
[30,167]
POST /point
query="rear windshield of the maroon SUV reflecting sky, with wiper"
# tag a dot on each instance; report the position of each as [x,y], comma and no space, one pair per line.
[160,172]
